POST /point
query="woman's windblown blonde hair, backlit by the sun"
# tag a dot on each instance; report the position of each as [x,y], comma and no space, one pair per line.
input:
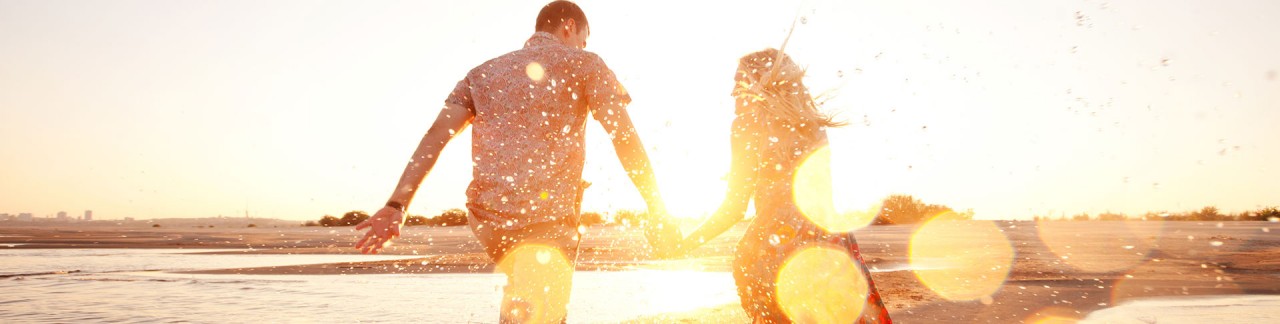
[770,85]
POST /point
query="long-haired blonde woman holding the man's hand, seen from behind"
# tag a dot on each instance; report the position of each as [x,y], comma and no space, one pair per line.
[776,129]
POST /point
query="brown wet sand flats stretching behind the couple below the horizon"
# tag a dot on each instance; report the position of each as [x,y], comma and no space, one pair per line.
[1060,270]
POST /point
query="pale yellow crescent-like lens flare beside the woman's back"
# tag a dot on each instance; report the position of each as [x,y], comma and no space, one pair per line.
[812,191]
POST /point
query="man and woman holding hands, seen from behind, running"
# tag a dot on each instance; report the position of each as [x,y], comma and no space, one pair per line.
[528,111]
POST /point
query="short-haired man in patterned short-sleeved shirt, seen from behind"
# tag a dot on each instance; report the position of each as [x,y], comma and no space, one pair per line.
[529,109]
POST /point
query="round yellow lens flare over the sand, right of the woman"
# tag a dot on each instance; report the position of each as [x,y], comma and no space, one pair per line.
[976,257]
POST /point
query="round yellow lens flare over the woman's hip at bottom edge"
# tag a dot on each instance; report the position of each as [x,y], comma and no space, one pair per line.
[822,285]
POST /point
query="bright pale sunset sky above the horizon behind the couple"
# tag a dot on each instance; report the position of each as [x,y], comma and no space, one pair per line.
[300,109]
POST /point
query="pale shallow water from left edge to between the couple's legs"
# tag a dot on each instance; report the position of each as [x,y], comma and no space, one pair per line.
[112,289]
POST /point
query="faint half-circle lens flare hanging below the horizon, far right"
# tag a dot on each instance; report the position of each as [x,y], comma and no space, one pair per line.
[1101,247]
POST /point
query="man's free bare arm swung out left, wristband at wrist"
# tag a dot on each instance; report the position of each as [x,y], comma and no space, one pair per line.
[387,222]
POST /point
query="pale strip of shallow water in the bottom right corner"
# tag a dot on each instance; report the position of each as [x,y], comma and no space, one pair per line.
[1194,309]
